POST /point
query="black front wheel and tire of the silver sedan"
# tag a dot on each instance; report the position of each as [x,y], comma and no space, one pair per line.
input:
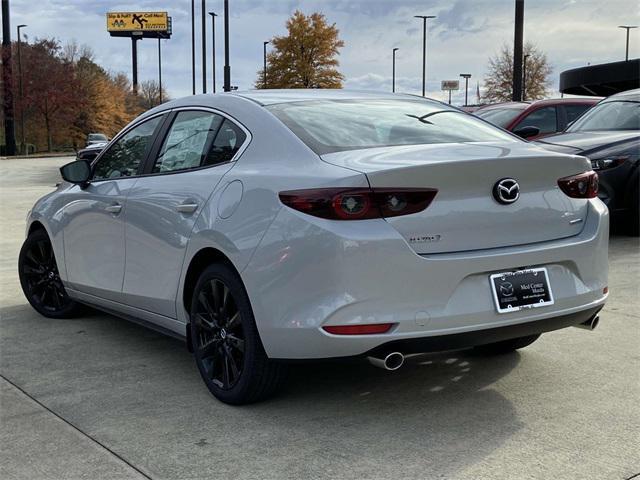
[40,280]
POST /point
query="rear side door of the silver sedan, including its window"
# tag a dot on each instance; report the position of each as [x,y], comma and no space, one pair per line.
[164,204]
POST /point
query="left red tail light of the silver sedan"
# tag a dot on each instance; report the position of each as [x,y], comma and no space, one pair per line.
[358,203]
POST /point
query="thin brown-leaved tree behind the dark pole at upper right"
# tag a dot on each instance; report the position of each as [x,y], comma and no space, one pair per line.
[498,82]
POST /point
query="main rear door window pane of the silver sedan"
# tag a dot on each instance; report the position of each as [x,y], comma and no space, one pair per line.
[186,143]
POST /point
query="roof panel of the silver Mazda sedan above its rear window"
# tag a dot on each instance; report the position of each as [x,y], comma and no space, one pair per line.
[271,97]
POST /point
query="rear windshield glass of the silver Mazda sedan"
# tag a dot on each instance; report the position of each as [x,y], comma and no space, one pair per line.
[328,126]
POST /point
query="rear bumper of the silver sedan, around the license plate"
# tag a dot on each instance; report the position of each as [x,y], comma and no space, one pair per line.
[310,272]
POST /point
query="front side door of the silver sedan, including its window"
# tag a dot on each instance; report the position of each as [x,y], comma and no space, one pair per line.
[93,216]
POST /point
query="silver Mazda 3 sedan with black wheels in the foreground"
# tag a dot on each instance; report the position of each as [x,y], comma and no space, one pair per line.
[279,225]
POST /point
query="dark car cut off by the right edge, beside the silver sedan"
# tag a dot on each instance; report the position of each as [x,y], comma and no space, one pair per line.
[609,134]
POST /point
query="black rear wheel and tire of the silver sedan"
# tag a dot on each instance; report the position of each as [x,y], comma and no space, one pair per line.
[225,341]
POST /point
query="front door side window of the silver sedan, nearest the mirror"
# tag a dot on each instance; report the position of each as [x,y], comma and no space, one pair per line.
[123,157]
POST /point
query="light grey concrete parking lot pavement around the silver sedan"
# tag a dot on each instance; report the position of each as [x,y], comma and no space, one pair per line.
[98,397]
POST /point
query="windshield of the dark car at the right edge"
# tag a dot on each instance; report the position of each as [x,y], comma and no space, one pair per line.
[614,115]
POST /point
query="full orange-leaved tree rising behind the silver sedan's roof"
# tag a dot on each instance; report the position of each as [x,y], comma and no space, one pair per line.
[306,57]
